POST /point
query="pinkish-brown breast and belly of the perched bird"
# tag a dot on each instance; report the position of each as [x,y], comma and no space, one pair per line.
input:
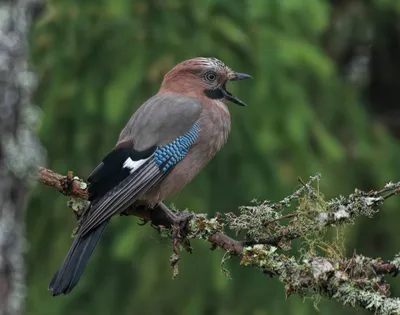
[215,125]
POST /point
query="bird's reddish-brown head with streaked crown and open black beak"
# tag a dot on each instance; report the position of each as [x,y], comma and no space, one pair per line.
[203,77]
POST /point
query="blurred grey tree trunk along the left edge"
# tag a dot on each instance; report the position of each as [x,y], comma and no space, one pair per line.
[20,151]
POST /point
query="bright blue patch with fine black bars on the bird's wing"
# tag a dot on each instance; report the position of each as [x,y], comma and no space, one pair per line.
[170,154]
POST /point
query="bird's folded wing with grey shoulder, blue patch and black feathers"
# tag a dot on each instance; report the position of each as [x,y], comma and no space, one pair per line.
[157,137]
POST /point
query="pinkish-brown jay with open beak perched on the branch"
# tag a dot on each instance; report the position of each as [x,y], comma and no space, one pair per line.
[163,146]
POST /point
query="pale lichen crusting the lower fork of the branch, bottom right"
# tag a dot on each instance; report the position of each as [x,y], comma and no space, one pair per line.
[318,276]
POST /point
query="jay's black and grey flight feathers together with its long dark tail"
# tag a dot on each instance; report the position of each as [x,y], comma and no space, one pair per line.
[109,180]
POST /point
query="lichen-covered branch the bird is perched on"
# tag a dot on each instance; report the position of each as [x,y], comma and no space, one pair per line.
[357,281]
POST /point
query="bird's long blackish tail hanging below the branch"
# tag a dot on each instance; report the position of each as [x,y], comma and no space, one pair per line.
[78,256]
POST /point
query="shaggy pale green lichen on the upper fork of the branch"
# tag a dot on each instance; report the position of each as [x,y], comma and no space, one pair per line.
[311,219]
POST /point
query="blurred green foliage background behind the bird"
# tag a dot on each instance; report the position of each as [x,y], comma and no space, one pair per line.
[99,60]
